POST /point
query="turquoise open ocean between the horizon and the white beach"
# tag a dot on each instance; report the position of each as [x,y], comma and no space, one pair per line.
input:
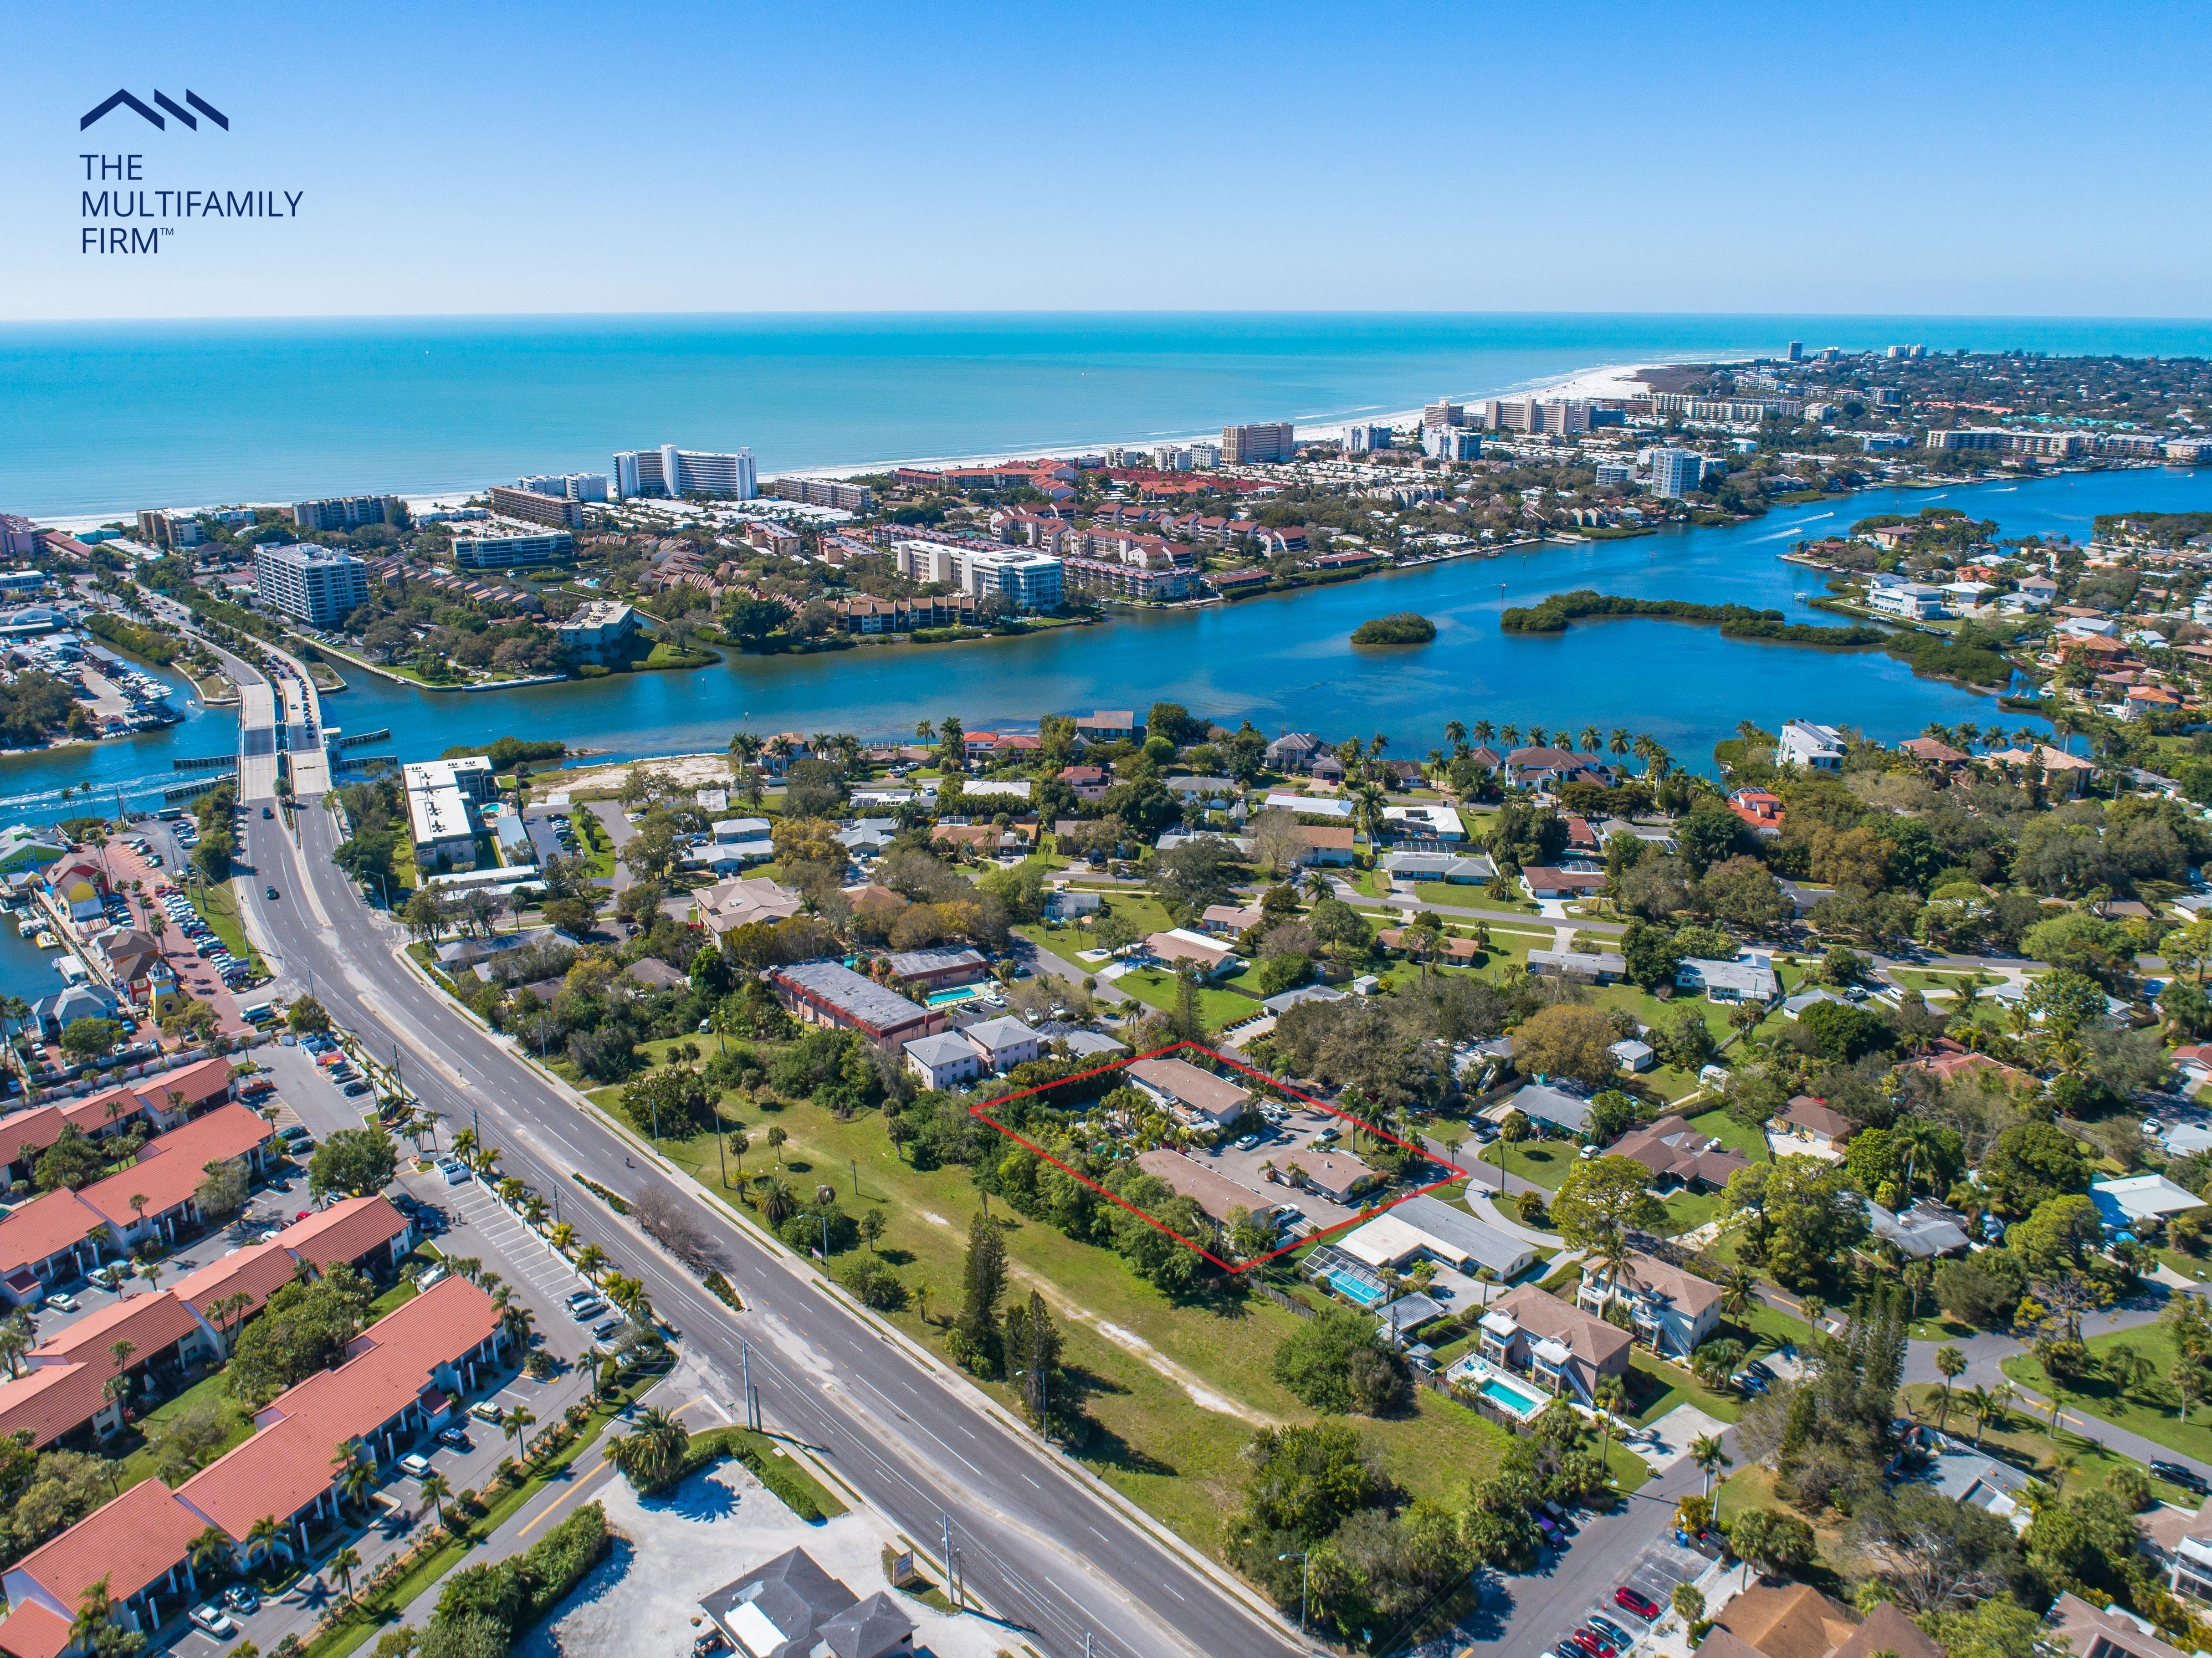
[114,417]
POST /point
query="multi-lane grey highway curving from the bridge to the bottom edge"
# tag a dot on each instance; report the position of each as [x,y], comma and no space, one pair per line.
[1045,1546]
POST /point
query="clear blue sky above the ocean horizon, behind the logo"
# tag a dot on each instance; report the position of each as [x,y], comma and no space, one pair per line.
[685,156]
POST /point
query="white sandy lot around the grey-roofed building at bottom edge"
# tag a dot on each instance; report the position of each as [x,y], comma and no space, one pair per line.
[718,1526]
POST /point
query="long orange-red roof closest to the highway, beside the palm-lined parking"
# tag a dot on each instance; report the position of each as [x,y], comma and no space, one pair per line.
[284,1467]
